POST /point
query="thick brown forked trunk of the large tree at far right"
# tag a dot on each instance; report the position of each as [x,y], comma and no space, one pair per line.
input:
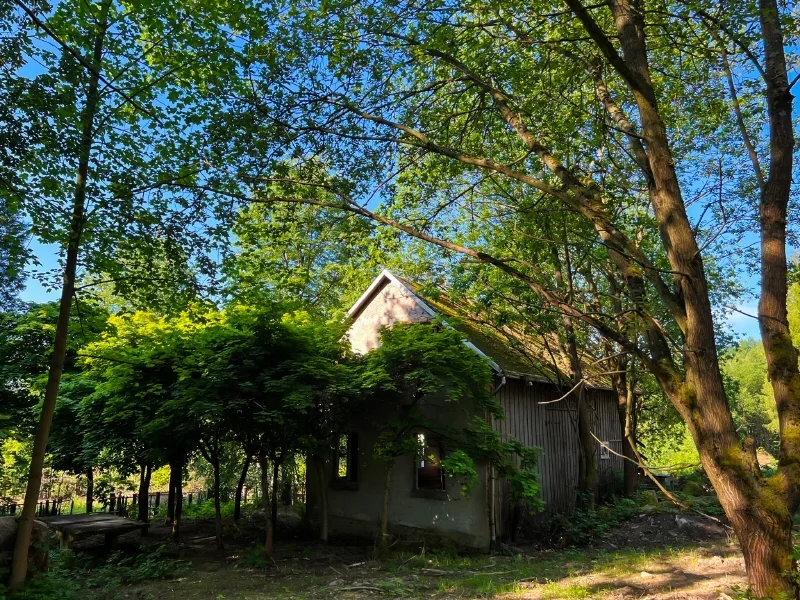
[760,509]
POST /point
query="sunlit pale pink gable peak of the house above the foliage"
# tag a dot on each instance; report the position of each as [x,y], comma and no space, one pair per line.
[388,305]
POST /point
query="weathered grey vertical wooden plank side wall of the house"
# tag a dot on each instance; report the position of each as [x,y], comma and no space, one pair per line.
[532,417]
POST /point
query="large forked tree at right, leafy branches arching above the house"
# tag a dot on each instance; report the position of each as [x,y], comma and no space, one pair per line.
[584,109]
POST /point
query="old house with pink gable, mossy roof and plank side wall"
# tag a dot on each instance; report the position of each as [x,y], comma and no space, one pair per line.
[424,503]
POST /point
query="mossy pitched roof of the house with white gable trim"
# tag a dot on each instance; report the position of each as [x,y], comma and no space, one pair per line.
[509,351]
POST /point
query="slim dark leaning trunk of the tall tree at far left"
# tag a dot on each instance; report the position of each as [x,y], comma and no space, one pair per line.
[19,566]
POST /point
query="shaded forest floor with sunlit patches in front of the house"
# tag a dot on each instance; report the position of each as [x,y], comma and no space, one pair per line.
[662,555]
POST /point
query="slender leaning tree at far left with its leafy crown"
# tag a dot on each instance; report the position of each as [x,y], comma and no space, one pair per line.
[106,85]
